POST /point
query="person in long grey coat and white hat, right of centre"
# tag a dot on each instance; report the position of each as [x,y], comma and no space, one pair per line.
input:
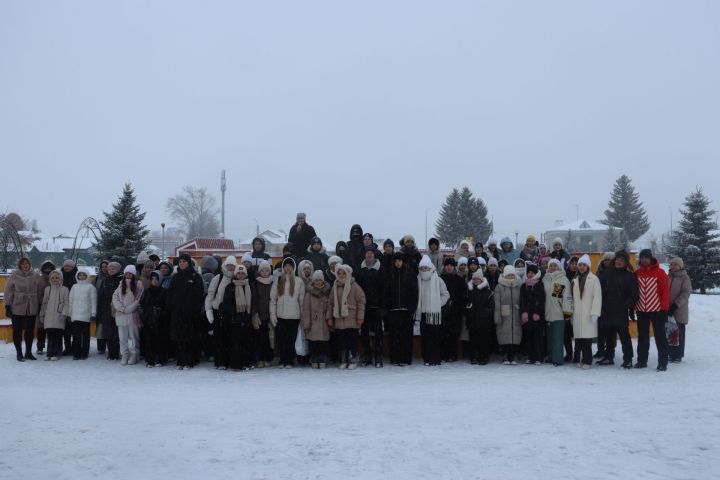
[507,314]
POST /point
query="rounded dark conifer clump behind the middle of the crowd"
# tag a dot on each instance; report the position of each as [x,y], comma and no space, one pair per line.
[463,216]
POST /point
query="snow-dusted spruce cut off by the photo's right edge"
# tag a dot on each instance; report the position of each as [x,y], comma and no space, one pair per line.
[694,242]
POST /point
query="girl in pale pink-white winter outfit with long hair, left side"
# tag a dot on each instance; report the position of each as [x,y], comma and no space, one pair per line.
[126,301]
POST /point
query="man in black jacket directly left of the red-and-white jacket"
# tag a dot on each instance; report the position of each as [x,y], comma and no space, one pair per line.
[620,293]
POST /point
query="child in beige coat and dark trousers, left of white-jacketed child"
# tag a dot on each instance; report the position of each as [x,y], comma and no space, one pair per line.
[54,312]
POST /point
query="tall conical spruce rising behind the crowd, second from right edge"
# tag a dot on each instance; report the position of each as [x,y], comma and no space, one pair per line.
[626,211]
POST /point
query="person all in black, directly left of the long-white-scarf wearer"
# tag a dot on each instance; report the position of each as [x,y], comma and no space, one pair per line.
[402,299]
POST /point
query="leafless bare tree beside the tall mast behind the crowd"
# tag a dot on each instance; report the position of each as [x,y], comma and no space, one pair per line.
[195,212]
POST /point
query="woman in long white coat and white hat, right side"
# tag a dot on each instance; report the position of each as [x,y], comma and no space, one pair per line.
[587,303]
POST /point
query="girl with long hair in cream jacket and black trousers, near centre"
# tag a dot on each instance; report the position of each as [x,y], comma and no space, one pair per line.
[286,299]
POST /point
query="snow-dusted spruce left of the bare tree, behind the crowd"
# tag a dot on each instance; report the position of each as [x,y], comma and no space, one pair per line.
[123,234]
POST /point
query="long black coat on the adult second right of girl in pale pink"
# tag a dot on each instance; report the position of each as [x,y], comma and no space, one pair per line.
[184,304]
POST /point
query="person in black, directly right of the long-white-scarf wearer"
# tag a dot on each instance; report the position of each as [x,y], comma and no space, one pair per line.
[454,309]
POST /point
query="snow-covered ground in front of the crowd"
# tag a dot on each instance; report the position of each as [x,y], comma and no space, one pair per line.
[97,419]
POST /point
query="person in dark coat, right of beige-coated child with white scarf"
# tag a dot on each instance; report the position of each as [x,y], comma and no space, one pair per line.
[371,278]
